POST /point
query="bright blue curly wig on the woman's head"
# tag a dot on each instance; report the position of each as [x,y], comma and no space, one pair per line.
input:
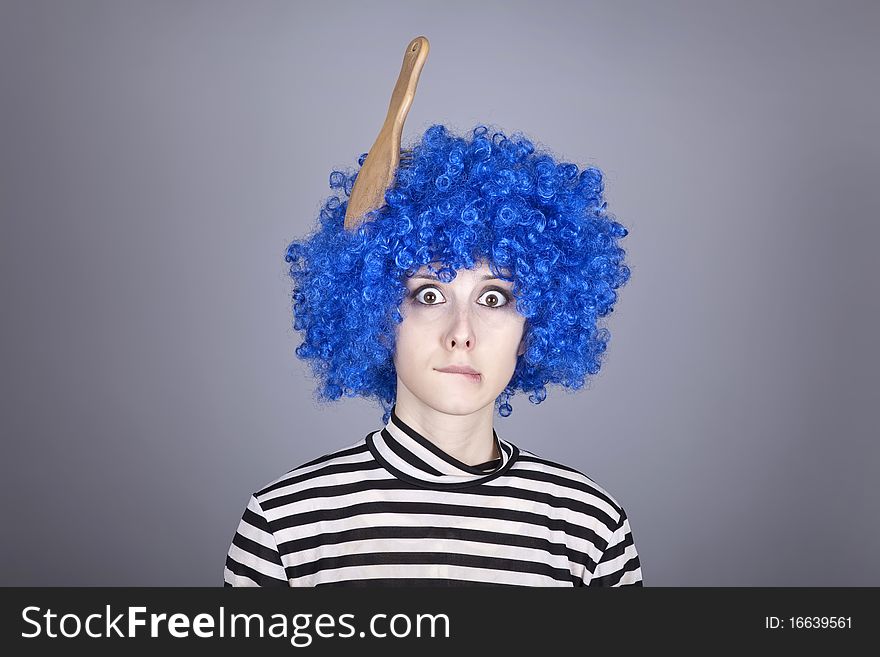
[536,221]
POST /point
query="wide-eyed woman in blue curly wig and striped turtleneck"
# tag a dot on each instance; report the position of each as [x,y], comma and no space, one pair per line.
[491,257]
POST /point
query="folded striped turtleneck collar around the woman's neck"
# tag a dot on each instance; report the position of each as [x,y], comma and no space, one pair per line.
[410,456]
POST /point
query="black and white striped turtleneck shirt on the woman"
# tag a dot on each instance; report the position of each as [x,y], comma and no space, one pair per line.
[394,509]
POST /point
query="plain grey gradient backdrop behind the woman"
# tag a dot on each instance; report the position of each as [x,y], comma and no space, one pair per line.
[157,158]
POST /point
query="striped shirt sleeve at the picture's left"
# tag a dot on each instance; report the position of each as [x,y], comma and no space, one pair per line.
[253,558]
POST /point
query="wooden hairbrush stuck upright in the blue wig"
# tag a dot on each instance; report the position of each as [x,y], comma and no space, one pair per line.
[377,172]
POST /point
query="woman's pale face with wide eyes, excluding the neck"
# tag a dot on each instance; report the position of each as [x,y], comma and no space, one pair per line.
[471,321]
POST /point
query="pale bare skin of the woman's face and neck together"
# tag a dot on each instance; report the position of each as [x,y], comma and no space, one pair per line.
[472,321]
